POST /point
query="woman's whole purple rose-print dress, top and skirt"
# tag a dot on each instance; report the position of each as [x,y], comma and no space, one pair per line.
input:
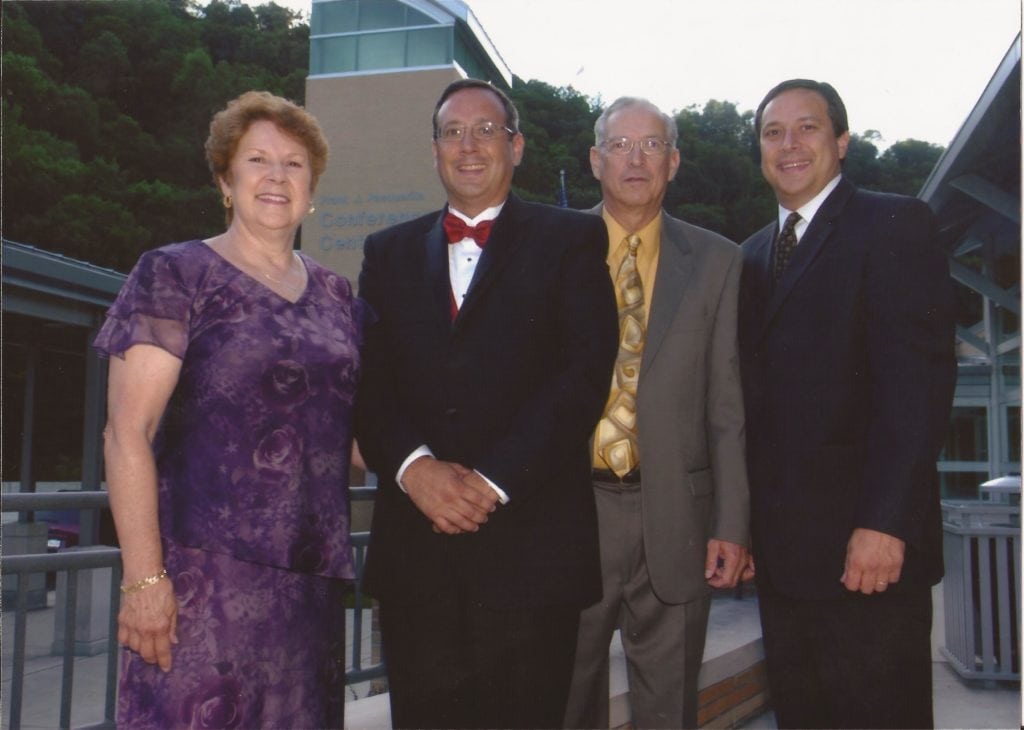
[252,458]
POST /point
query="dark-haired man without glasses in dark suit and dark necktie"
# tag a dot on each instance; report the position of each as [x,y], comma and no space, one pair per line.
[847,356]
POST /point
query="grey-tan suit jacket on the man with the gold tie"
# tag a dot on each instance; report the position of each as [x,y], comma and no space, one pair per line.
[691,410]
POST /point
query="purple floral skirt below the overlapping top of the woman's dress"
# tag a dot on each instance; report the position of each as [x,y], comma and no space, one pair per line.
[259,648]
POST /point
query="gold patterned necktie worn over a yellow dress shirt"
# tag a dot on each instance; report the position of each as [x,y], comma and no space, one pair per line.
[617,433]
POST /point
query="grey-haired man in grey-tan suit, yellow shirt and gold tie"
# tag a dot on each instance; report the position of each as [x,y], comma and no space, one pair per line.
[670,473]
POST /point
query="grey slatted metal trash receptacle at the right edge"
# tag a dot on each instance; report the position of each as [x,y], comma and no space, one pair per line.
[983,588]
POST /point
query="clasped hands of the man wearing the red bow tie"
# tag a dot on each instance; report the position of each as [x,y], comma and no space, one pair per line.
[454,498]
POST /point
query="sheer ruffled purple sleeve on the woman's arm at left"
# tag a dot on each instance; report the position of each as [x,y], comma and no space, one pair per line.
[154,308]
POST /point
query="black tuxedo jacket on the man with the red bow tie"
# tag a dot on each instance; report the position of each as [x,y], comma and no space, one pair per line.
[514,388]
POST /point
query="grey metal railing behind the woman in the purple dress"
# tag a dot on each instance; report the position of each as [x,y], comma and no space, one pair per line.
[72,563]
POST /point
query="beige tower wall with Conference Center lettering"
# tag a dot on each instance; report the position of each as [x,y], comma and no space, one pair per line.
[381,169]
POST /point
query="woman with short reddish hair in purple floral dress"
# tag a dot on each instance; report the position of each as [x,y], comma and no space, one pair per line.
[232,382]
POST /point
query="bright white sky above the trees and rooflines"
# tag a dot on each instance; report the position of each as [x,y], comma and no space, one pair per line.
[905,68]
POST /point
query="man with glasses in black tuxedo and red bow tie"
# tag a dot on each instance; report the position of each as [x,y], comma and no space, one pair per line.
[484,378]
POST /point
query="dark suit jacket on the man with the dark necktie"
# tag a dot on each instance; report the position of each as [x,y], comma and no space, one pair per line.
[848,371]
